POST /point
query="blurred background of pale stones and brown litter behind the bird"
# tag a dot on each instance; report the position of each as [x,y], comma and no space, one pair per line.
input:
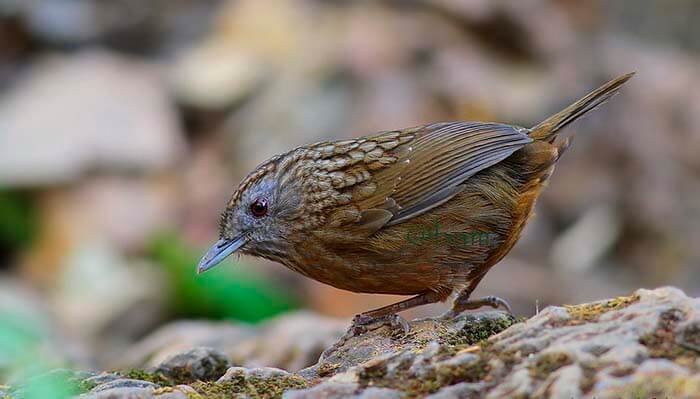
[125,125]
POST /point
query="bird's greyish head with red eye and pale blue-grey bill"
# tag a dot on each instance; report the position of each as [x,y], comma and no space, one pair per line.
[259,219]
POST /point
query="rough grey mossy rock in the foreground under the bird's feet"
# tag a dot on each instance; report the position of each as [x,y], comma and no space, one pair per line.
[640,346]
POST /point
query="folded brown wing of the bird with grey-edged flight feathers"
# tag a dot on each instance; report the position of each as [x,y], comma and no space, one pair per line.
[431,168]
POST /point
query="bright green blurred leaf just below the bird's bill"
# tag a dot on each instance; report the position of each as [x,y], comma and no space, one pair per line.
[227,292]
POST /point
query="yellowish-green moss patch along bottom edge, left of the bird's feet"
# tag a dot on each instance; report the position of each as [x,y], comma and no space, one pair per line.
[251,386]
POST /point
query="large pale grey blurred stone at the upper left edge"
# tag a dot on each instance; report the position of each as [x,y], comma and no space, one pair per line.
[120,119]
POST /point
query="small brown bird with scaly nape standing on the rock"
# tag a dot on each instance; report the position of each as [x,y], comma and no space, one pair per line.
[425,211]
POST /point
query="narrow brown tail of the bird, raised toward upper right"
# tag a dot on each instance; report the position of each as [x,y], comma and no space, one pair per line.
[548,129]
